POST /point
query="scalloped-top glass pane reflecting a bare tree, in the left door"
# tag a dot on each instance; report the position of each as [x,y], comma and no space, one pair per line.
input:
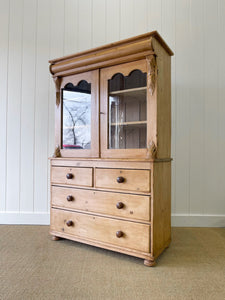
[76,116]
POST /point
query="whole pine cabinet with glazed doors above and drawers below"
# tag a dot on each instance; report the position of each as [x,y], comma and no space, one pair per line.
[111,169]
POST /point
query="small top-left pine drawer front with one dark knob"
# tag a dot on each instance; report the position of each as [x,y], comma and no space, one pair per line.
[72,176]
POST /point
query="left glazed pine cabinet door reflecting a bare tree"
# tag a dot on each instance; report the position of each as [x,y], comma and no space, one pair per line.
[79,116]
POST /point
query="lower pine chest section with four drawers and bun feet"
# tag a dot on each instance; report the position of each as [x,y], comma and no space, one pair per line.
[112,208]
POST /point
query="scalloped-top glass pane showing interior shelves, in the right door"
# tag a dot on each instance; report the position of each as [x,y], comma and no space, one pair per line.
[127,126]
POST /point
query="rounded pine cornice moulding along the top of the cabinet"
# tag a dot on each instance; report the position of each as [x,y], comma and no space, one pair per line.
[111,54]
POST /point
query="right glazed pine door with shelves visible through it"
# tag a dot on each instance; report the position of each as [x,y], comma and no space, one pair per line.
[124,110]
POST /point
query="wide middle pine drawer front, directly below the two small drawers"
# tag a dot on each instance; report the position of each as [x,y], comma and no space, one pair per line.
[117,204]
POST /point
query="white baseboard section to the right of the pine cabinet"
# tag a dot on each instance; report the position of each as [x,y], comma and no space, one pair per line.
[184,220]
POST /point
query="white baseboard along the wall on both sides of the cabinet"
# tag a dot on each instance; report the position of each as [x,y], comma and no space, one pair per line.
[178,220]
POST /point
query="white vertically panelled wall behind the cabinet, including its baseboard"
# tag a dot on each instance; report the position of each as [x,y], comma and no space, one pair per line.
[33,31]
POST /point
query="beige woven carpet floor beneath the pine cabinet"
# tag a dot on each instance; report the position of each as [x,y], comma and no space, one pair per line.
[34,267]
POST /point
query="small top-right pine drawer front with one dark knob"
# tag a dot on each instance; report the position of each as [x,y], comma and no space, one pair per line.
[123,179]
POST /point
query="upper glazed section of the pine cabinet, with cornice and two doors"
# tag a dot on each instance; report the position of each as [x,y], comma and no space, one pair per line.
[114,102]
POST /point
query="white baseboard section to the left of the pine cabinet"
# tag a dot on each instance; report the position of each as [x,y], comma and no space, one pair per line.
[25,218]
